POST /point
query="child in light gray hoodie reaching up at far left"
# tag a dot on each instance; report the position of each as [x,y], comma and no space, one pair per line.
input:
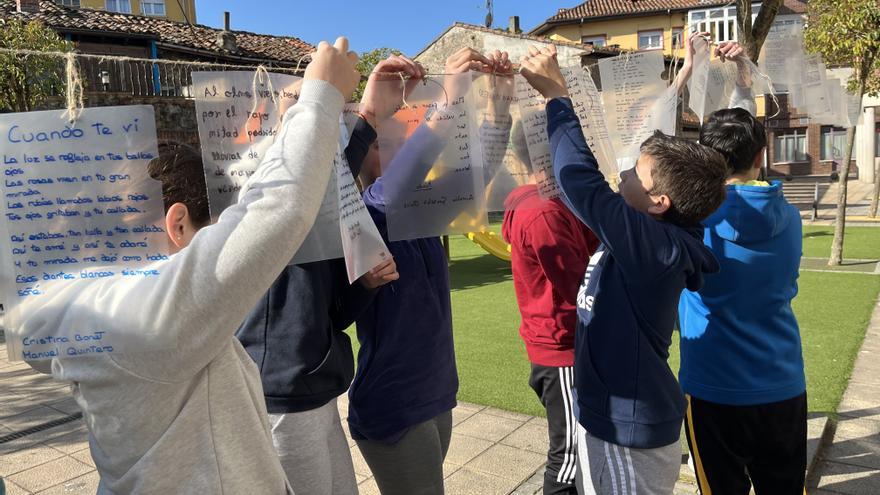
[192,419]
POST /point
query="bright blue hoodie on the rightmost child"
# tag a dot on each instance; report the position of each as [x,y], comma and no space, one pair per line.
[740,342]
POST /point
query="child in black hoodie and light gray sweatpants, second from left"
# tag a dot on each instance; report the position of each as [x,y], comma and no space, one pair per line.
[296,332]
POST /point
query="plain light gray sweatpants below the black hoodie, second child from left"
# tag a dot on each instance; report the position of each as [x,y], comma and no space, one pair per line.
[314,451]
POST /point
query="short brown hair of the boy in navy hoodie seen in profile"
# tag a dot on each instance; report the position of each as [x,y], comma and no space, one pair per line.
[692,175]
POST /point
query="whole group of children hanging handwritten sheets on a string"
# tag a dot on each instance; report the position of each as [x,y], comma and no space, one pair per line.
[244,400]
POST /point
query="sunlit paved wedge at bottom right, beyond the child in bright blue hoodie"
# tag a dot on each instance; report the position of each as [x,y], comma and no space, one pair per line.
[851,464]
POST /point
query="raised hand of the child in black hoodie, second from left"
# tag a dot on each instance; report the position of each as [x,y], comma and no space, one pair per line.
[382,96]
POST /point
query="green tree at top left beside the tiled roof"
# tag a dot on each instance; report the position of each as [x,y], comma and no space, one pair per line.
[27,80]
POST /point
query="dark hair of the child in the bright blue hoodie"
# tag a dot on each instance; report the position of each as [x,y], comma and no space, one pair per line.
[736,134]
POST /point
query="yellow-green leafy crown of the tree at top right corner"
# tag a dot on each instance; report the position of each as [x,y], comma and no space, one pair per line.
[847,33]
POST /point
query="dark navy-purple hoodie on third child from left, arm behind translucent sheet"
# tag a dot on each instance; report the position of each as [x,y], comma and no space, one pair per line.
[406,364]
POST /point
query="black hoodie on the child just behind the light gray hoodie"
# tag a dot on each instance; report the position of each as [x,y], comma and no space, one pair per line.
[296,332]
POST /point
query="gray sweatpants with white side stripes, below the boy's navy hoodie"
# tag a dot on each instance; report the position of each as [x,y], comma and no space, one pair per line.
[608,469]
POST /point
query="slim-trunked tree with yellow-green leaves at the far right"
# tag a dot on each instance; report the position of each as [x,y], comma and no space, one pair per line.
[846,33]
